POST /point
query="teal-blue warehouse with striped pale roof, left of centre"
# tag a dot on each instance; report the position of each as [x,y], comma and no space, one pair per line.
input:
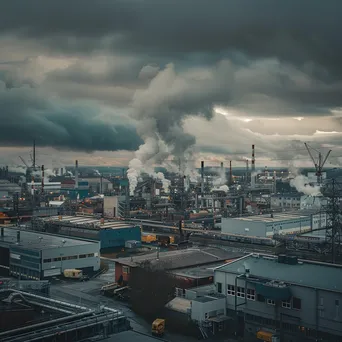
[110,234]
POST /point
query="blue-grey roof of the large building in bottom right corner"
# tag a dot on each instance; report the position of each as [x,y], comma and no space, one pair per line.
[309,274]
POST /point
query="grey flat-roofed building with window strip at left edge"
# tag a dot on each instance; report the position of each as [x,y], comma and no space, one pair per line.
[33,255]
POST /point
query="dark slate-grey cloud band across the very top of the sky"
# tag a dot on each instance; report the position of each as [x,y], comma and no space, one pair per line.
[296,31]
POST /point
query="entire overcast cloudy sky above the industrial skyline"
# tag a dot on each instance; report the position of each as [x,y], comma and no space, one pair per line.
[85,79]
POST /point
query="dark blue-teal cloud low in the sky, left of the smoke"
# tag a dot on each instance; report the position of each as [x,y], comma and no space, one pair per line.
[26,114]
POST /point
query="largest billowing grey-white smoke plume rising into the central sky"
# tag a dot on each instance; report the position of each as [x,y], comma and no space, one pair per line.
[161,109]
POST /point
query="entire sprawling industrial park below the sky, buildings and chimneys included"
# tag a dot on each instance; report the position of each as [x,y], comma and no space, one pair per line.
[80,225]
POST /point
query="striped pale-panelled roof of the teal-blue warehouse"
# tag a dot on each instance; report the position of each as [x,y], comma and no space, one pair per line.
[90,222]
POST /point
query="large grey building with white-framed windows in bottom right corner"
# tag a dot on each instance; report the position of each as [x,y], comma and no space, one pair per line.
[282,298]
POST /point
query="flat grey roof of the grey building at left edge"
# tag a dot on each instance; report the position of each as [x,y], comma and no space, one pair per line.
[38,240]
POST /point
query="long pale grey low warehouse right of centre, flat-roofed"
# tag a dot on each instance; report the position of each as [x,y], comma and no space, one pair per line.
[266,225]
